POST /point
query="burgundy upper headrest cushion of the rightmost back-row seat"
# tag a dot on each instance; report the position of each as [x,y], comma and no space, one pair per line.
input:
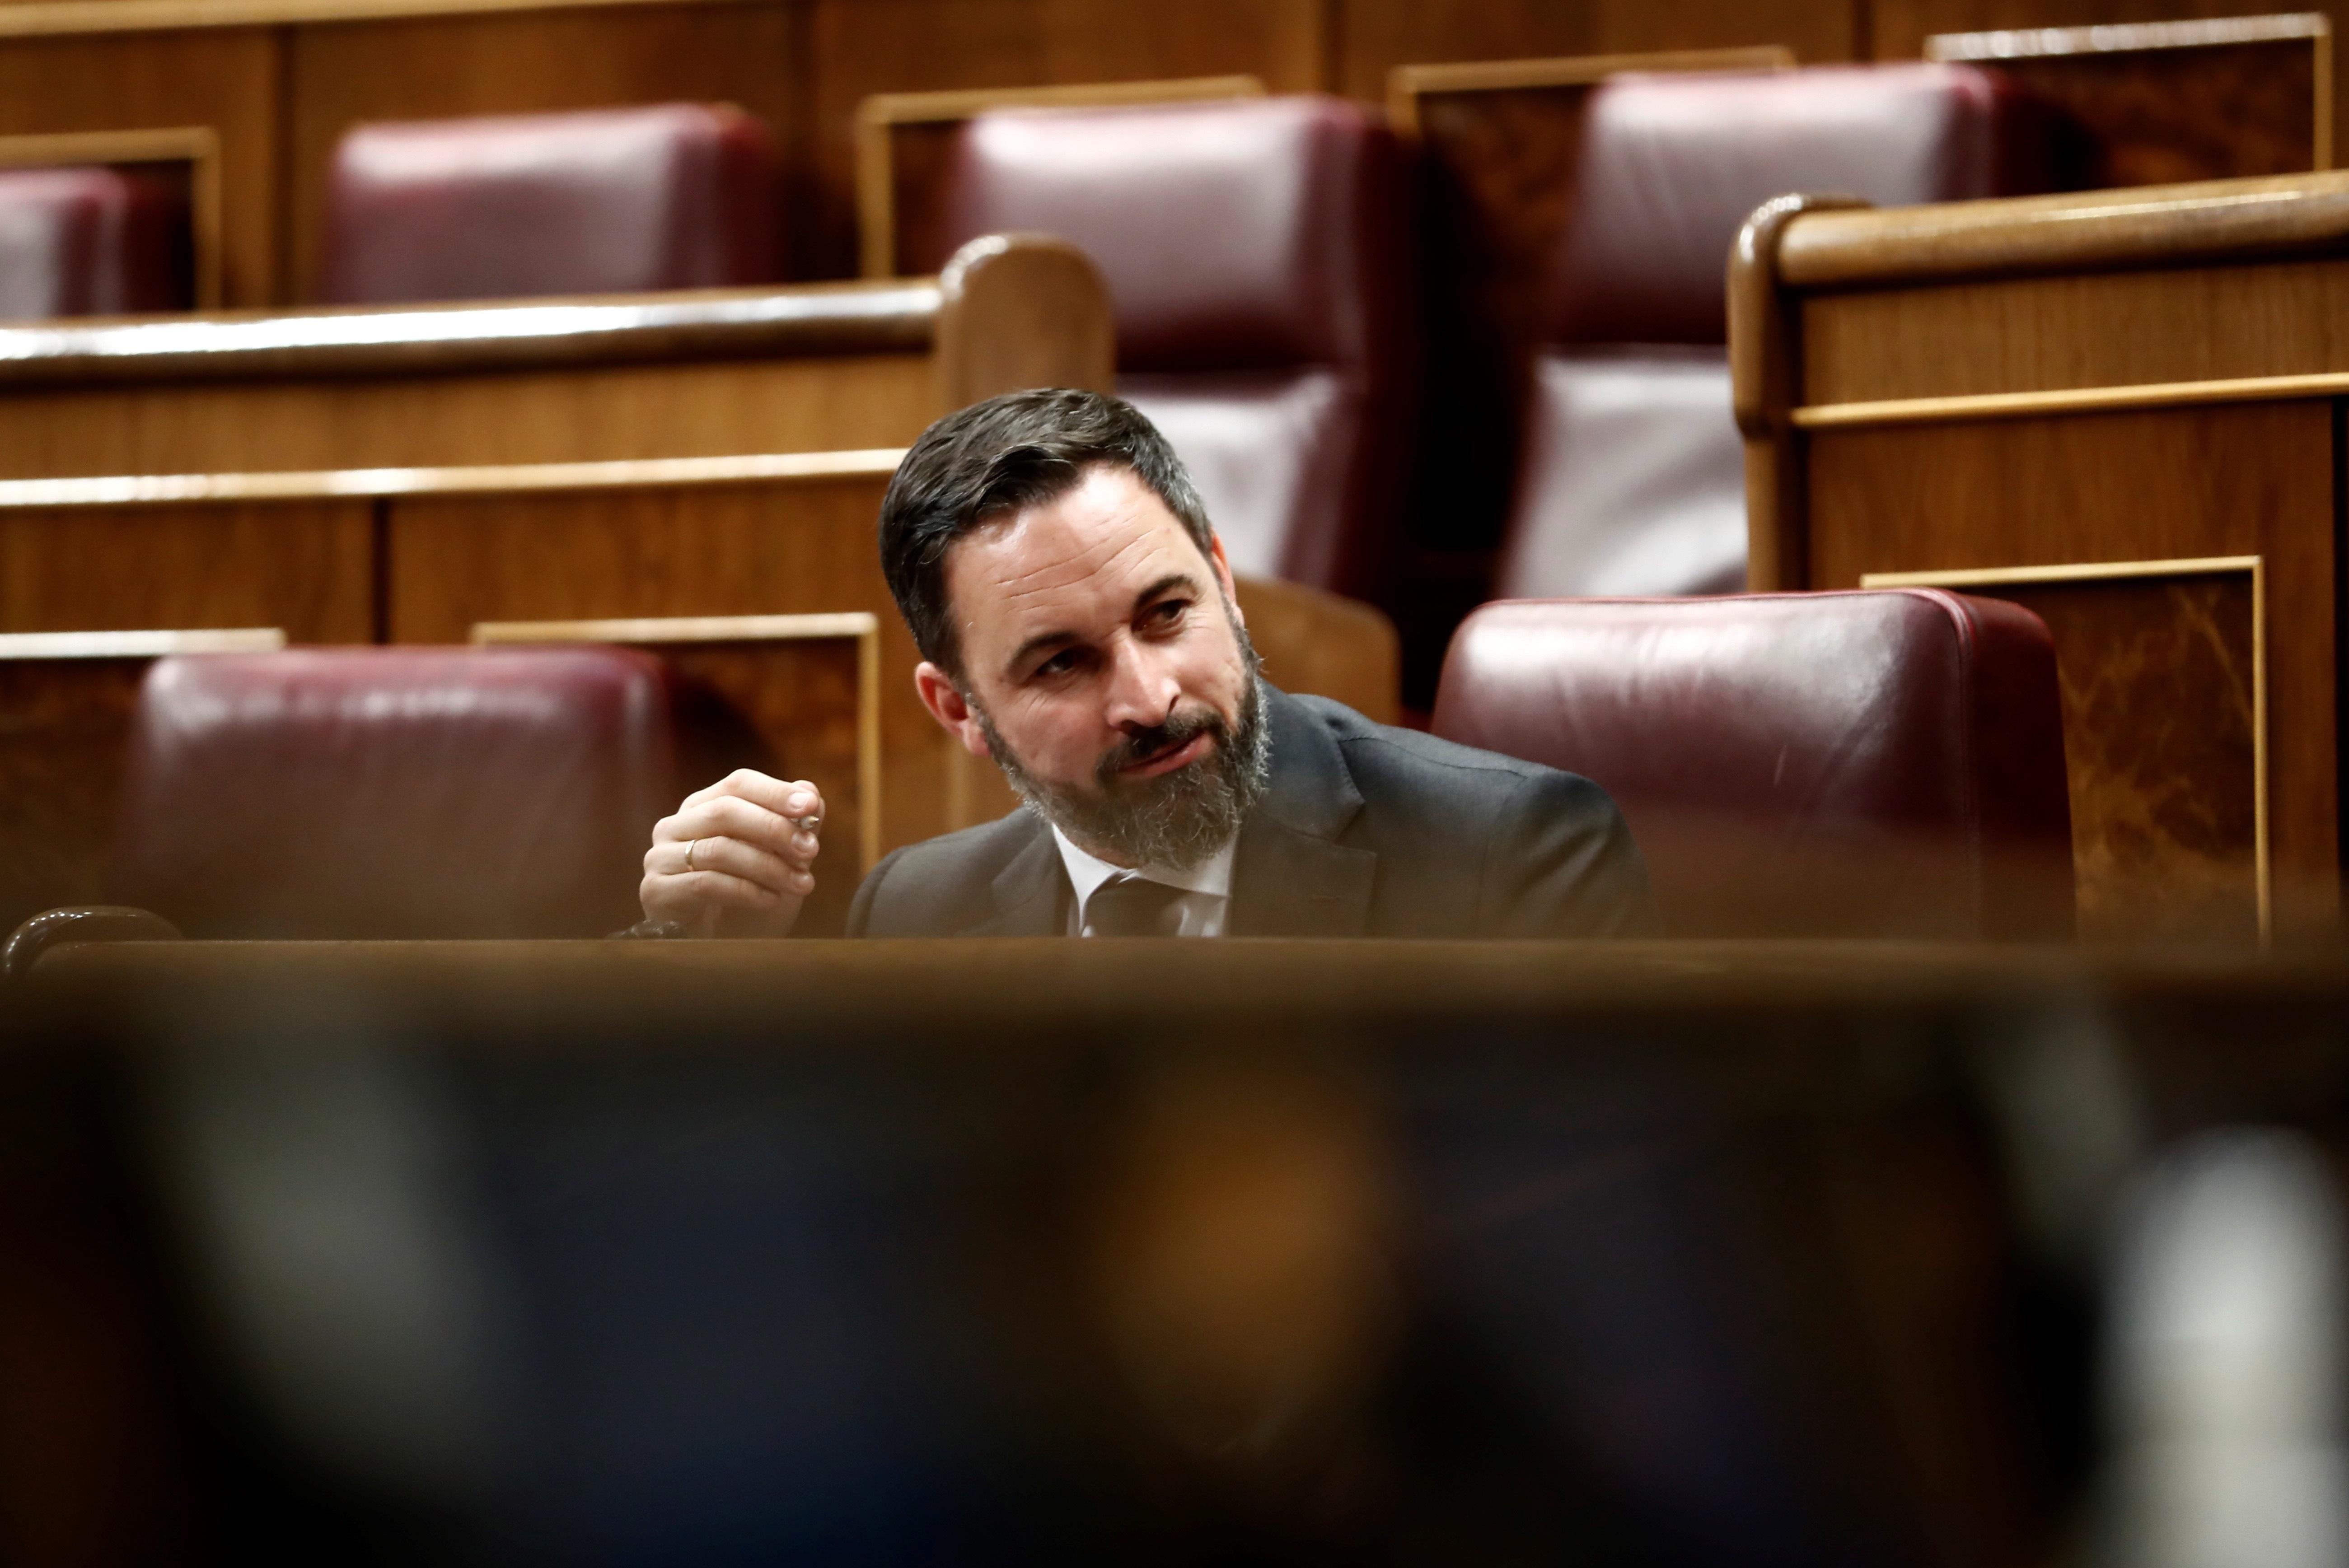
[1674,165]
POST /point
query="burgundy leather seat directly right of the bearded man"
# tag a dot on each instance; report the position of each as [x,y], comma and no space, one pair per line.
[1869,764]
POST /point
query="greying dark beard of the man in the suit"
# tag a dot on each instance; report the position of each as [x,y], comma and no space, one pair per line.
[1171,820]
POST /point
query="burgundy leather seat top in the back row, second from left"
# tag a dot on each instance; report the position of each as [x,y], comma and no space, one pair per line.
[675,196]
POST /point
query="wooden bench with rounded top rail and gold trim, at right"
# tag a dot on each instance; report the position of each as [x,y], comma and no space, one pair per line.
[2122,410]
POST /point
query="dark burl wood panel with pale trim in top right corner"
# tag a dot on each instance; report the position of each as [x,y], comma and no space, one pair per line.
[2174,102]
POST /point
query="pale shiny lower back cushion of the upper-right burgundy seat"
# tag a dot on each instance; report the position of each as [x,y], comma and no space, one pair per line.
[1634,478]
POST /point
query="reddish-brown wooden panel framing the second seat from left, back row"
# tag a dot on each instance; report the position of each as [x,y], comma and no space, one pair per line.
[445,67]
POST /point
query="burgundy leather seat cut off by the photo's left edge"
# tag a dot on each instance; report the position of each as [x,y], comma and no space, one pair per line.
[79,243]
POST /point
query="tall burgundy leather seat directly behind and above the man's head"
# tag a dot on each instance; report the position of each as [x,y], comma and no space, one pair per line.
[1258,259]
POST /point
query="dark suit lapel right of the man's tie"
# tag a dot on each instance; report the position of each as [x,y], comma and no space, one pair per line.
[1291,877]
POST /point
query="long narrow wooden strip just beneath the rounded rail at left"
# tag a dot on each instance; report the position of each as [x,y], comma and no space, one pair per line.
[541,417]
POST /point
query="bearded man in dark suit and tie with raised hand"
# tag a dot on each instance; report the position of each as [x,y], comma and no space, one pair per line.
[1077,626]
